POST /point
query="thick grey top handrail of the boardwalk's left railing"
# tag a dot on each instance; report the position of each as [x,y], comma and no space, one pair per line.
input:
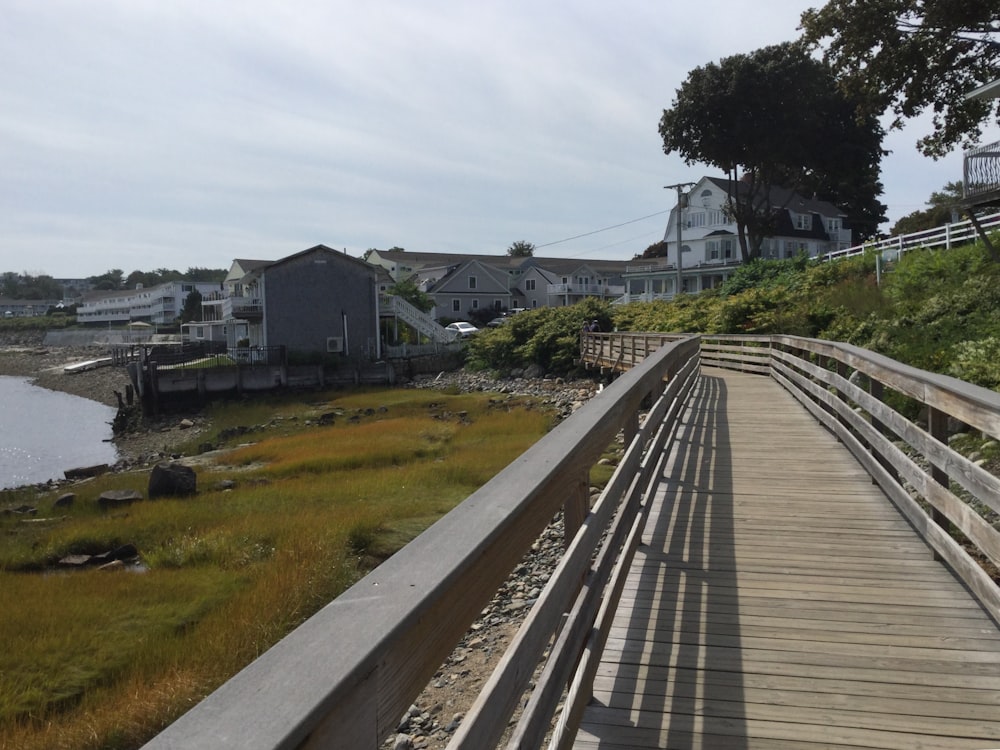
[346,676]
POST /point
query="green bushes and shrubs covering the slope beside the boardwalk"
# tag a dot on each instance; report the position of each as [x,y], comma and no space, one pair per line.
[938,310]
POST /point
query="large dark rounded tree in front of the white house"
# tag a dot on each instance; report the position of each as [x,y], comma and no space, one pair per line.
[775,117]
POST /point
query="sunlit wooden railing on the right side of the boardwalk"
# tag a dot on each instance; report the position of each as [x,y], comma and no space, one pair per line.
[897,421]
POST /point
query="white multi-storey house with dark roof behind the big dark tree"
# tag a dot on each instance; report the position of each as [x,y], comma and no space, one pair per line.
[709,244]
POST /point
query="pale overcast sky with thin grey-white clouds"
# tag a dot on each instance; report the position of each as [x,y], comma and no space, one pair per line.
[145,134]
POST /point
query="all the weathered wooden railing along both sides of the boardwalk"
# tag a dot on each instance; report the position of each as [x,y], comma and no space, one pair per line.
[347,675]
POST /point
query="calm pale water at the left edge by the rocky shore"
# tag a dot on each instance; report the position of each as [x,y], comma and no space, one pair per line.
[44,432]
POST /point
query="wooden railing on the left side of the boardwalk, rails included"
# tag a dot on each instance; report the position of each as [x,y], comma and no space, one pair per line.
[346,676]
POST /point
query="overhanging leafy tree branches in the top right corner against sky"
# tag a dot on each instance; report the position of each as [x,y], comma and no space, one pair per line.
[913,56]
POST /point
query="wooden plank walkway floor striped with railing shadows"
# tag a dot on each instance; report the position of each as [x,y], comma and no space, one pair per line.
[780,601]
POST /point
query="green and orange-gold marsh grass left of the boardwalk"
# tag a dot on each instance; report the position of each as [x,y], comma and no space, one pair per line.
[97,659]
